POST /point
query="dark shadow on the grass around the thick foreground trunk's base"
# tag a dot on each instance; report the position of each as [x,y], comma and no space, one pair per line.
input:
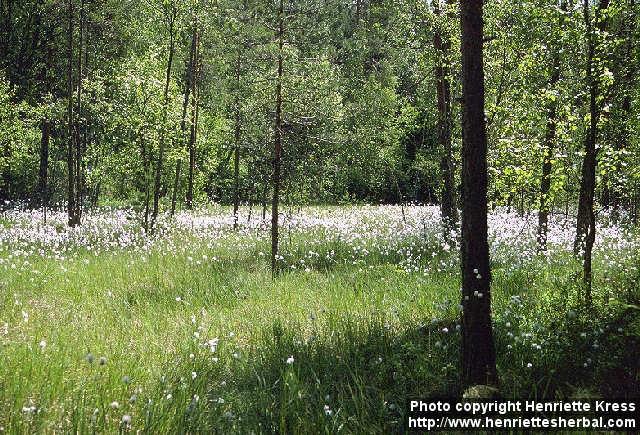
[356,375]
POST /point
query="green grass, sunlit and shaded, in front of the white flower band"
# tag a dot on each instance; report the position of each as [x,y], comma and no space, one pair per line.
[192,334]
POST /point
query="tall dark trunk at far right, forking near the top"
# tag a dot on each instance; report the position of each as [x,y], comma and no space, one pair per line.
[585,225]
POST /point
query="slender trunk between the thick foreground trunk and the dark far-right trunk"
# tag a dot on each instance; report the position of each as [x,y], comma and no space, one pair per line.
[549,143]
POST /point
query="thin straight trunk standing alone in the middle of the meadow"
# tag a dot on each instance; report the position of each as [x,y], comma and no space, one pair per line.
[277,143]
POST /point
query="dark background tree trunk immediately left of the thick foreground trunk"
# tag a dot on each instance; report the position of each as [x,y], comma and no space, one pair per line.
[442,44]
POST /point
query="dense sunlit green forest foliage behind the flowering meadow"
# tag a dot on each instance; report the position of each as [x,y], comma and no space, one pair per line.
[360,118]
